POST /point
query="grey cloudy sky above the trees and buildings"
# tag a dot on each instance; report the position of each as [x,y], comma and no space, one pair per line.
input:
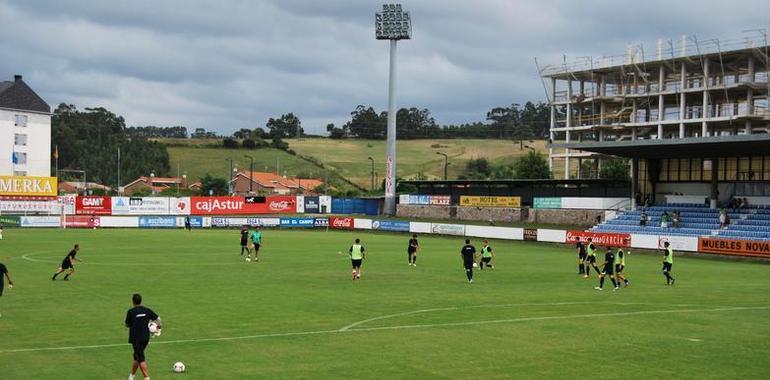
[229,64]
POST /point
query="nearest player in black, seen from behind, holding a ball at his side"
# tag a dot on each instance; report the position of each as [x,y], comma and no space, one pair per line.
[137,319]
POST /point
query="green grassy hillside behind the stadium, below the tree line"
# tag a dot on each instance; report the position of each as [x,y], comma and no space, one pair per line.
[348,158]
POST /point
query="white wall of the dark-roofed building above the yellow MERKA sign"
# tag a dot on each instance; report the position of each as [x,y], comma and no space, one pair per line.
[38,148]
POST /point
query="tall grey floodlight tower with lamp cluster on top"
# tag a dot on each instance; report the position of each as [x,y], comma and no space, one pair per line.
[392,24]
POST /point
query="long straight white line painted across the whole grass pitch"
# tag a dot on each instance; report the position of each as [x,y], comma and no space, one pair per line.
[402,327]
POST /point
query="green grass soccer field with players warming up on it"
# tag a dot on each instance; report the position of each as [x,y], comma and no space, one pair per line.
[297,314]
